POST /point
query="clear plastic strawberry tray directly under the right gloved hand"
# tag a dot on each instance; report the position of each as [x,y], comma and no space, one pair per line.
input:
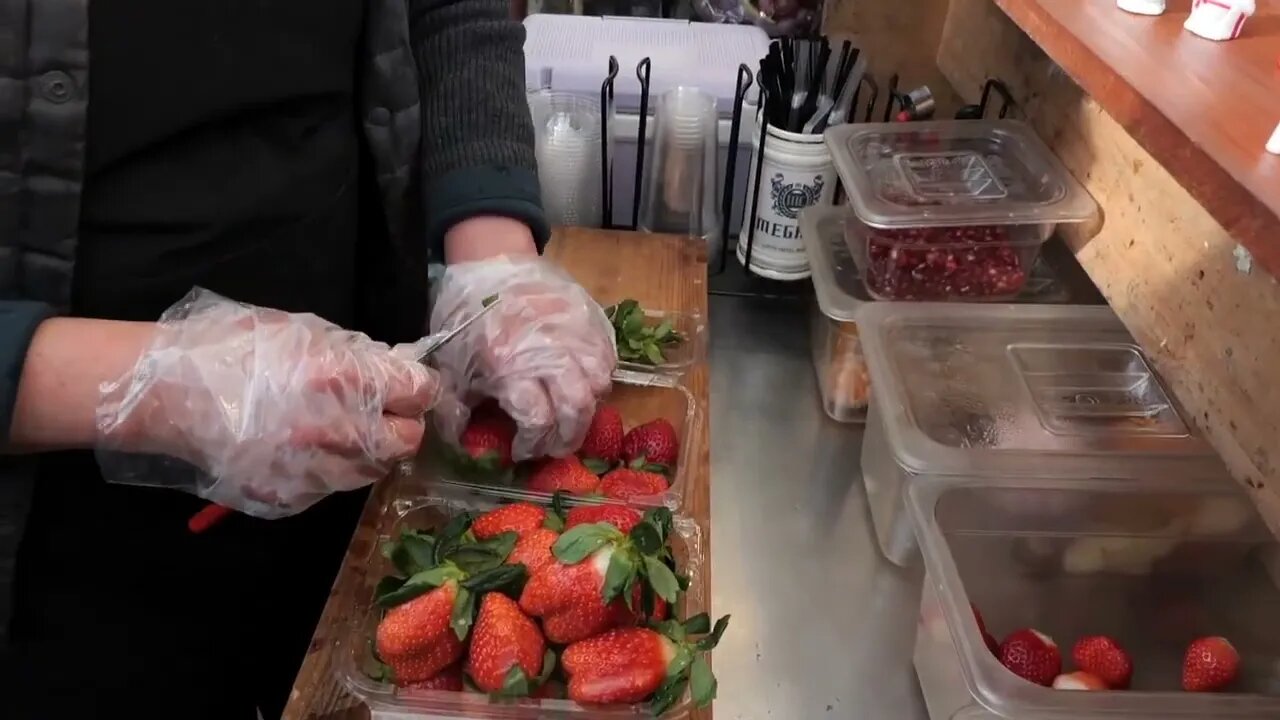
[638,397]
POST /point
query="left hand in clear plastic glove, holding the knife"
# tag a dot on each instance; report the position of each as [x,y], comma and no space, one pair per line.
[262,411]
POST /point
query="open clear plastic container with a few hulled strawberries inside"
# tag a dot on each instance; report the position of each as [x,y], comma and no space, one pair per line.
[1153,564]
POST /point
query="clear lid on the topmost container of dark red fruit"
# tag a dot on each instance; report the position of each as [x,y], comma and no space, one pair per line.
[954,174]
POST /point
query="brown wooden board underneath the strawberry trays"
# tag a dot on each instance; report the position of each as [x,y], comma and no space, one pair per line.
[659,271]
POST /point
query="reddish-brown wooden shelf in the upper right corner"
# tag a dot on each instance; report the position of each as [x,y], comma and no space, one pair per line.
[1203,110]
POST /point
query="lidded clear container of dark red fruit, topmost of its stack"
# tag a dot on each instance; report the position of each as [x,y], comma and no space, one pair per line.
[952,209]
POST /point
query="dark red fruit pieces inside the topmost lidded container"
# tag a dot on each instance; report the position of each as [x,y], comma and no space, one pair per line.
[944,263]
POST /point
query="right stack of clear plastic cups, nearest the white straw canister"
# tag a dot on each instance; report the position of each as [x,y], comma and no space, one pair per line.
[679,193]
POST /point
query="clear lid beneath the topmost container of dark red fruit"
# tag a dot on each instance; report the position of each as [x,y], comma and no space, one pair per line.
[836,281]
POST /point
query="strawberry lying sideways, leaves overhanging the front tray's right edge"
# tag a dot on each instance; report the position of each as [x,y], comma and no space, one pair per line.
[629,666]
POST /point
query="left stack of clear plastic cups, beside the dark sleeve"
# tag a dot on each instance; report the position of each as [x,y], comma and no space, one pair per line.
[568,143]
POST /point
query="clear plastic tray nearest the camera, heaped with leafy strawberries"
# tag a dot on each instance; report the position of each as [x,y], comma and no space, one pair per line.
[388,703]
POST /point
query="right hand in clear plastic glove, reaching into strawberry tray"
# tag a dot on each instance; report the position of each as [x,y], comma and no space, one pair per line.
[546,353]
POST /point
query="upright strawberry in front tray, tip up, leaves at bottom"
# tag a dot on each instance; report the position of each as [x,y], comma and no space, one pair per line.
[506,649]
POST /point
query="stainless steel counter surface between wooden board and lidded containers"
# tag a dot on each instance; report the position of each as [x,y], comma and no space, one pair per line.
[824,626]
